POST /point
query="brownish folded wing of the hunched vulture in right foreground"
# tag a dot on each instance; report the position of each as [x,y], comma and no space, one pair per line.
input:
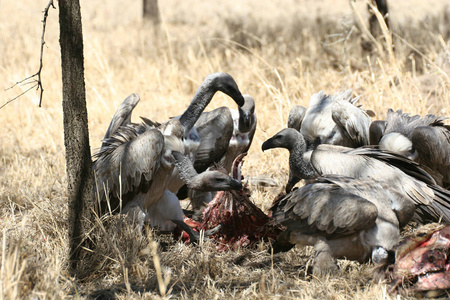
[325,209]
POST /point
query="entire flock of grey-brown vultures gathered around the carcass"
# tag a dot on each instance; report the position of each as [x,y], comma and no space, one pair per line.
[364,180]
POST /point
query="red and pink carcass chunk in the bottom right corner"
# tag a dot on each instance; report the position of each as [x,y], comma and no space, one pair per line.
[422,263]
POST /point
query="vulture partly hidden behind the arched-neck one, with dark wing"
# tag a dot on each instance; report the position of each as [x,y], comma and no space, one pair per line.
[224,134]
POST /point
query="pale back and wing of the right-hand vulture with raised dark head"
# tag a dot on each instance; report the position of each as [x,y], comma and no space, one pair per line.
[394,170]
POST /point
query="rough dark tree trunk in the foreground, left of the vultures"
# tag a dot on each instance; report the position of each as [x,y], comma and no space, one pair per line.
[76,134]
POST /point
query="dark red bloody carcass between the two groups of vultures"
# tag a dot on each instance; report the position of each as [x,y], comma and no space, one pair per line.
[238,221]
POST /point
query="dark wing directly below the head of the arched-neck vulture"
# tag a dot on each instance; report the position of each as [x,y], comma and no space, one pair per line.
[215,129]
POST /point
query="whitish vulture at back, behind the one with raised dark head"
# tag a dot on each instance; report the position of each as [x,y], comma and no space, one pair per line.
[332,119]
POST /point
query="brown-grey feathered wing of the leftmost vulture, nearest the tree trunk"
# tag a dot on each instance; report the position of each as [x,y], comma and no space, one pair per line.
[126,165]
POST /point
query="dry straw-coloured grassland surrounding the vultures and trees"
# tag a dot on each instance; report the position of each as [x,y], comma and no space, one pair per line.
[280,52]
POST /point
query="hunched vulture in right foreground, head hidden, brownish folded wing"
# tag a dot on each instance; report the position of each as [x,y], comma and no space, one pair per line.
[342,217]
